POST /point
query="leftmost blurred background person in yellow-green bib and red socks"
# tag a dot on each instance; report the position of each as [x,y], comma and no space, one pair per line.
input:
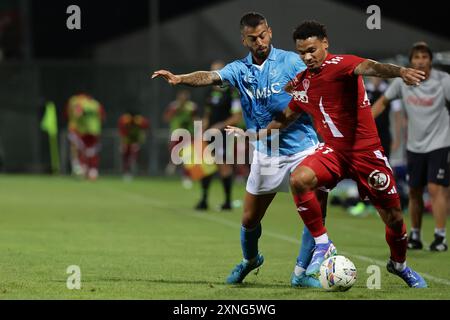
[85,116]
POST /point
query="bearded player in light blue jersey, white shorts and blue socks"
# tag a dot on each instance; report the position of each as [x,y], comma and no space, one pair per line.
[260,78]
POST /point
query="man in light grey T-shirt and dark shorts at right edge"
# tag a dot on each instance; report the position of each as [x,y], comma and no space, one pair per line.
[428,143]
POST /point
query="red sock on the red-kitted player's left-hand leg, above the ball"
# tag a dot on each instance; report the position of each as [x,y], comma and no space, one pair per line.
[309,209]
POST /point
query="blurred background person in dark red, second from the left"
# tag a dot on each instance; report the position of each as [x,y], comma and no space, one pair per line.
[133,131]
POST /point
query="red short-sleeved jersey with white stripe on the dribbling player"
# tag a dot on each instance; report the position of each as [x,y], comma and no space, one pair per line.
[337,100]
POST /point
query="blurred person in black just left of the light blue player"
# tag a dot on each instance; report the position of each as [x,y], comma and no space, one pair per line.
[222,108]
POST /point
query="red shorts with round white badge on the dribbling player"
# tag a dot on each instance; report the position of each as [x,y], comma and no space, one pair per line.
[370,170]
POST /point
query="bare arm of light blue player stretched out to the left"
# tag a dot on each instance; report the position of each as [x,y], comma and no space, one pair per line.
[194,79]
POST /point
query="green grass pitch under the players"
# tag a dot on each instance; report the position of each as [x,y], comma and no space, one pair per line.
[143,240]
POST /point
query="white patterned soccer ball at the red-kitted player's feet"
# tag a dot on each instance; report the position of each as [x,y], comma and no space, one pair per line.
[337,273]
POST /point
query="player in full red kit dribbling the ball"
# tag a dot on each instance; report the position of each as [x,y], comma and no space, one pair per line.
[331,90]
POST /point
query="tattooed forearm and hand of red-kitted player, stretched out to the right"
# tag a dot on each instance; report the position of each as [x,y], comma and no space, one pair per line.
[387,70]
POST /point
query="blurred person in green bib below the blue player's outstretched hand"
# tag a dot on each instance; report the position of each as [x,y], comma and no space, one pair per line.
[180,114]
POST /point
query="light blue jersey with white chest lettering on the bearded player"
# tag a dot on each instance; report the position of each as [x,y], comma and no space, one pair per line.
[263,96]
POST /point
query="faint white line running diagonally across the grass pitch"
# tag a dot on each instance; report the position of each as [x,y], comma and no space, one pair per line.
[275,235]
